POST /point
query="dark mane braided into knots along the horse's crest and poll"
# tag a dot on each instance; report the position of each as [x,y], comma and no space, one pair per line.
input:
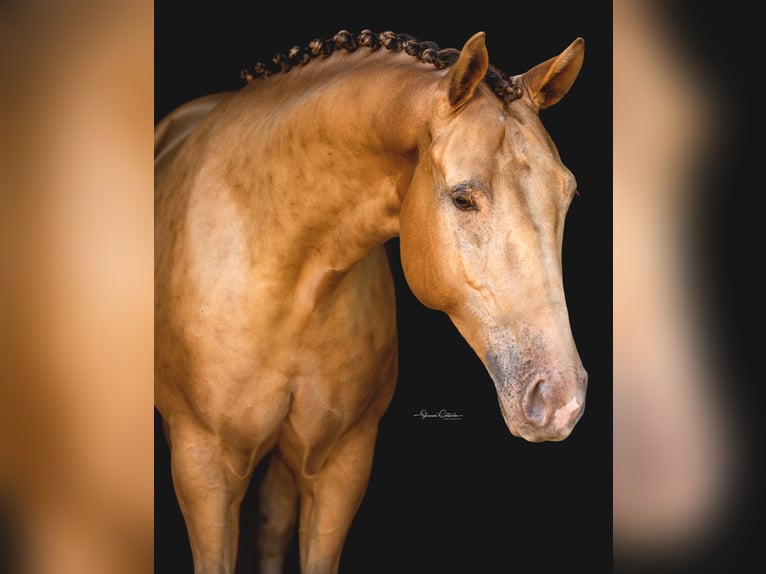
[427,52]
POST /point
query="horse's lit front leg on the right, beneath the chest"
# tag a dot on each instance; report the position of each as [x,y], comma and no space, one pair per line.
[330,499]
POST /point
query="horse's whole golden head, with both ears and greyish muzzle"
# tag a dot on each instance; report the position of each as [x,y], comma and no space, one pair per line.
[481,231]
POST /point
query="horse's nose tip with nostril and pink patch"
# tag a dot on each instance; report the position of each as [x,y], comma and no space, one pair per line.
[553,406]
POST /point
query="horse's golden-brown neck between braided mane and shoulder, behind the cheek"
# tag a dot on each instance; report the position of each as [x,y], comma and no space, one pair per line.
[324,156]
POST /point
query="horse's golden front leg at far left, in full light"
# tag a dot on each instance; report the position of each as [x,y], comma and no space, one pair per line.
[210,483]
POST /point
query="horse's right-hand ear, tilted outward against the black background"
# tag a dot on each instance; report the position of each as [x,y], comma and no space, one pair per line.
[549,81]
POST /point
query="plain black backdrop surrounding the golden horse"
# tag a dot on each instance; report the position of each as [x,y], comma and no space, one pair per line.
[461,496]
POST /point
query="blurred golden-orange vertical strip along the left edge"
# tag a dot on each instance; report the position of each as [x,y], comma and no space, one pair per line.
[76,260]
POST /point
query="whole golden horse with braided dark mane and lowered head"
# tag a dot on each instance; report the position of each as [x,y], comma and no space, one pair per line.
[274,299]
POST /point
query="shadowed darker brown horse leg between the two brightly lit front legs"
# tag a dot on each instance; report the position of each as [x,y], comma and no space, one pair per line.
[278,513]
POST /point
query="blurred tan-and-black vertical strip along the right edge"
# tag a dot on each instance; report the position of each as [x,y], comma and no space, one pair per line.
[692,173]
